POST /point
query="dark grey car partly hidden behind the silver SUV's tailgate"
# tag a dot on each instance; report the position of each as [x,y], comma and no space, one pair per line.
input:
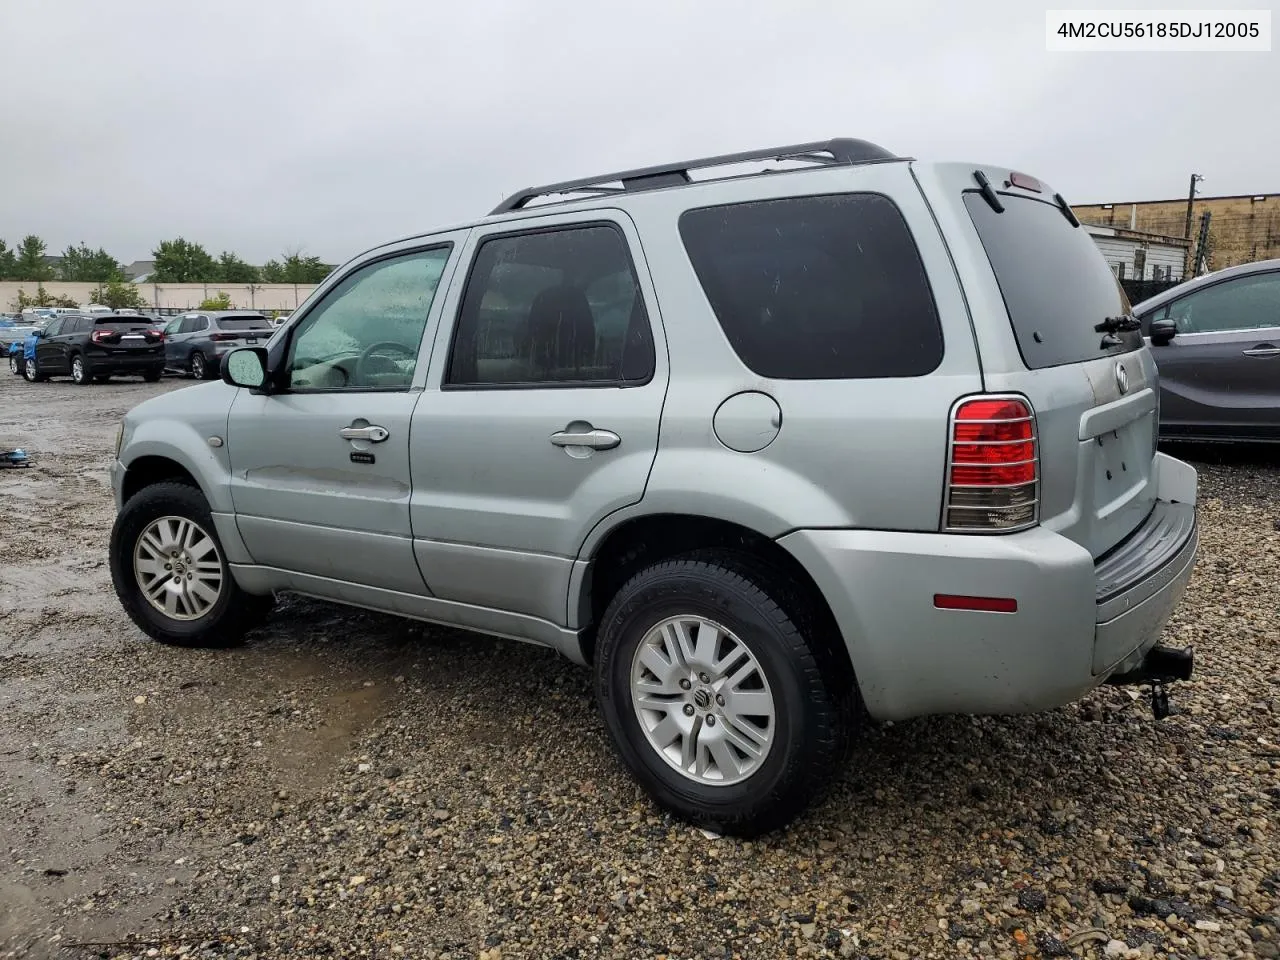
[1217,341]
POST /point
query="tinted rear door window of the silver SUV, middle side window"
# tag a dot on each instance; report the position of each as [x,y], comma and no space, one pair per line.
[552,308]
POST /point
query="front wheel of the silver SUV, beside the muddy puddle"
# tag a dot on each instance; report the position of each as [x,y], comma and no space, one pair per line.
[199,623]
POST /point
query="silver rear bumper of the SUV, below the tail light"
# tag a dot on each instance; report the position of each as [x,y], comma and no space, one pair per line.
[1076,624]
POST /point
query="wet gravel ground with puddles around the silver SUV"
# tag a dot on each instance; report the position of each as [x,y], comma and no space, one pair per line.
[351,785]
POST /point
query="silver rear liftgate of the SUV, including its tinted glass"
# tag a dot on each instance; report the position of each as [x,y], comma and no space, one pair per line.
[1045,304]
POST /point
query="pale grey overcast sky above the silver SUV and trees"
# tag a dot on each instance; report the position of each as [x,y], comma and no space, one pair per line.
[267,126]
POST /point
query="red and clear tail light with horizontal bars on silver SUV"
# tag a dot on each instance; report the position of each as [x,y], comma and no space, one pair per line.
[993,467]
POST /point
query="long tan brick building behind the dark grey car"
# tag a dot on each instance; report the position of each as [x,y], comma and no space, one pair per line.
[1242,228]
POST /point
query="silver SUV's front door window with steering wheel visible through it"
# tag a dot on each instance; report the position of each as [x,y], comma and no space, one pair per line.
[368,331]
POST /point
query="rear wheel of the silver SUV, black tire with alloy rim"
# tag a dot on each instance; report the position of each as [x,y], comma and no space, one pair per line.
[811,697]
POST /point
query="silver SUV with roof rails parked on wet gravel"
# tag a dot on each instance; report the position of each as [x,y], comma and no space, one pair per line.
[772,452]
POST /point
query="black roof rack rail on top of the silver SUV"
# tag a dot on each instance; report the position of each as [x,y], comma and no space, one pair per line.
[839,152]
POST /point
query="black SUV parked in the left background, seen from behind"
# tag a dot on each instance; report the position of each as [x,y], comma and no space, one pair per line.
[94,349]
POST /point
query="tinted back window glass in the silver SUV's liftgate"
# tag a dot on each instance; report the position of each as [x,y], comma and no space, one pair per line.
[1055,284]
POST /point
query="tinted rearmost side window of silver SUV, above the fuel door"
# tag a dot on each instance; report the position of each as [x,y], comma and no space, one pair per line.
[817,289]
